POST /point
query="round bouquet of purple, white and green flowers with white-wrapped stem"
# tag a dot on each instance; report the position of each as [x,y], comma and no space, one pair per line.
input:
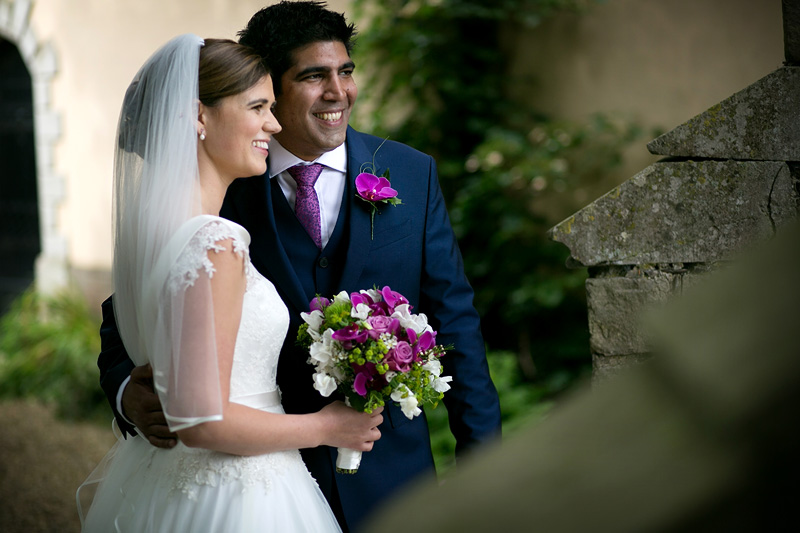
[371,347]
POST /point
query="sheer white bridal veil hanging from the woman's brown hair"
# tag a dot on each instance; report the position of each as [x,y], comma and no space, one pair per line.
[157,201]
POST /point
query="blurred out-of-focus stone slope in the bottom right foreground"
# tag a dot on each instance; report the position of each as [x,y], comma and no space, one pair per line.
[702,437]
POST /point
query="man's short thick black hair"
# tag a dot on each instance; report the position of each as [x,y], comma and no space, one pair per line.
[275,32]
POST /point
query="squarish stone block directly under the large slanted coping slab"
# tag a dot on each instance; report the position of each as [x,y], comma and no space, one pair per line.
[617,307]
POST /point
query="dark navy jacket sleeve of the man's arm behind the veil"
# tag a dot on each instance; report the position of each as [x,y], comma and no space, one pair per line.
[114,363]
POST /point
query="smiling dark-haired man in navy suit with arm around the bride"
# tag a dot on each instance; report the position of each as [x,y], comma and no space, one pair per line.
[411,248]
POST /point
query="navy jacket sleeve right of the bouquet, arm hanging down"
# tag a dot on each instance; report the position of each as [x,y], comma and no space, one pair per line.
[472,403]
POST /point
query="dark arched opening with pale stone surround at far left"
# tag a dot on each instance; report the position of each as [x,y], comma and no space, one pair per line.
[30,190]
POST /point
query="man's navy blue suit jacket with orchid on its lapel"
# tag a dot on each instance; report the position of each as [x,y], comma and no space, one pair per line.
[413,250]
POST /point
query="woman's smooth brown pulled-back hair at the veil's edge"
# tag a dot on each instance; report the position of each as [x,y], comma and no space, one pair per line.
[227,68]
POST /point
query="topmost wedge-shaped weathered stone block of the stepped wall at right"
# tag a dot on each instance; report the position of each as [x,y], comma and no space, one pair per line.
[757,123]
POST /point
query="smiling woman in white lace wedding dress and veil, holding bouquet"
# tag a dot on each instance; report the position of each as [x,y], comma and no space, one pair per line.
[189,302]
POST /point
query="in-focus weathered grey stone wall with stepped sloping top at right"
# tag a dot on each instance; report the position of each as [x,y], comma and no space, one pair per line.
[729,180]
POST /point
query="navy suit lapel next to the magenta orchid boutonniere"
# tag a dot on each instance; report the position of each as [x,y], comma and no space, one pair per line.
[360,240]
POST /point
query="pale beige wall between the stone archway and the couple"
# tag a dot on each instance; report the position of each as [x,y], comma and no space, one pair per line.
[100,44]
